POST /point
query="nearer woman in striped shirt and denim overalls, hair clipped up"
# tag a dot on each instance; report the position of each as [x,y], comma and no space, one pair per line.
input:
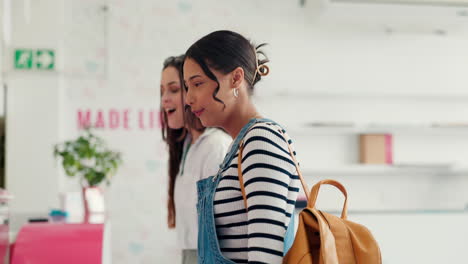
[244,211]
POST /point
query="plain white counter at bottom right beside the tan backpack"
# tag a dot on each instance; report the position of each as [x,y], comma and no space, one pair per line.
[419,238]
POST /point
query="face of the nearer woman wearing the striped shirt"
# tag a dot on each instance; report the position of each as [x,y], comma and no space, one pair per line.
[199,96]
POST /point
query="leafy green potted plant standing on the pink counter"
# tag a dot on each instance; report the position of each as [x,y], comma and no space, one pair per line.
[89,159]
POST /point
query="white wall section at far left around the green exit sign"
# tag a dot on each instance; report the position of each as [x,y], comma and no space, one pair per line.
[33,110]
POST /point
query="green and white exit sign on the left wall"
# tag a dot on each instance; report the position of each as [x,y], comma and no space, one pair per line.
[41,59]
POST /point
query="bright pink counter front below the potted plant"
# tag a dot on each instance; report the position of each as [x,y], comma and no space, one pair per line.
[59,243]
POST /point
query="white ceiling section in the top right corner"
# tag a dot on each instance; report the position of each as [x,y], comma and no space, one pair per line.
[393,18]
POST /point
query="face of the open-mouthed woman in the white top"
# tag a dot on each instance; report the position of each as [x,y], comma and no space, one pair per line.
[171,100]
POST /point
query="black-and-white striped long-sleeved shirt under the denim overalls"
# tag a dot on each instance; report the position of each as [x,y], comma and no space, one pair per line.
[271,187]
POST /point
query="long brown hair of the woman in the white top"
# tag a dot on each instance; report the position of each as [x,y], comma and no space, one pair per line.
[174,138]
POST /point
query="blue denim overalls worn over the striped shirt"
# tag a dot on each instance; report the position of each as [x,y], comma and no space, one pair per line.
[208,246]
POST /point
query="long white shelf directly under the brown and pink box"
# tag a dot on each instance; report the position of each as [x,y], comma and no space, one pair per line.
[384,170]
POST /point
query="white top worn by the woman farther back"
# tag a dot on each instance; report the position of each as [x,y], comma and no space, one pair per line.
[201,161]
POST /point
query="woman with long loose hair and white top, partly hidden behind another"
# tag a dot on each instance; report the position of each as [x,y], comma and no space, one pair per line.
[194,153]
